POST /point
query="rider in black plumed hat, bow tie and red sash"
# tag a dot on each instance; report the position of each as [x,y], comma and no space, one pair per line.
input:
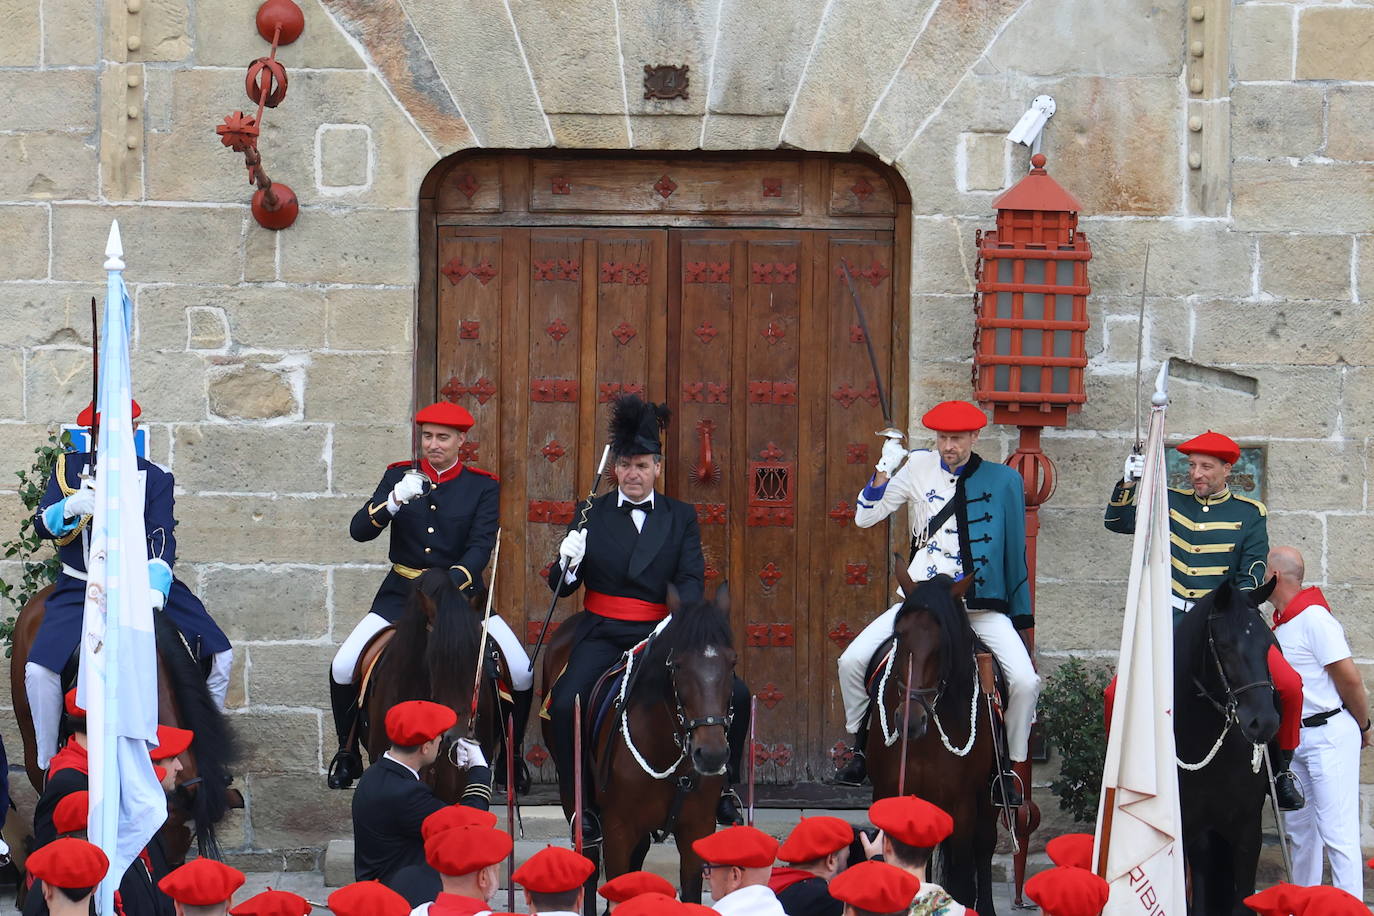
[634,545]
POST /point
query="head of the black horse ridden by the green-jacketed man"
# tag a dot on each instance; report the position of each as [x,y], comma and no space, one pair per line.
[1235,665]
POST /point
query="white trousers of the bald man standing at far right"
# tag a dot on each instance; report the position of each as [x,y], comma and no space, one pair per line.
[1328,766]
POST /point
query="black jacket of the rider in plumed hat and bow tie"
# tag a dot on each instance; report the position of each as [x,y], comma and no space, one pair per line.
[640,565]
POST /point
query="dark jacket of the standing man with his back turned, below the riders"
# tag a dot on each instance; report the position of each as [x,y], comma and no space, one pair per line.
[390,805]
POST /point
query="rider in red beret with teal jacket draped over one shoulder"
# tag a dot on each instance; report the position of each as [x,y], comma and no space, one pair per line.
[968,520]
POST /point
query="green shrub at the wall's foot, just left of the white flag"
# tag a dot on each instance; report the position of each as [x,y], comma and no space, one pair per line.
[1071,712]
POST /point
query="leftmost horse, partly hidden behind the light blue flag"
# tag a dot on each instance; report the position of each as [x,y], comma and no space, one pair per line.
[203,794]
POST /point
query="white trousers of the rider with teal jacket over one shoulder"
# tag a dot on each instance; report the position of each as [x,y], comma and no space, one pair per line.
[994,630]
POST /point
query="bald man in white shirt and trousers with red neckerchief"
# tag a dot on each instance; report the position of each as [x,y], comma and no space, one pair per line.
[1336,726]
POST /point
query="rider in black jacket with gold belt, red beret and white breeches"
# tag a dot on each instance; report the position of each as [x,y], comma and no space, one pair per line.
[442,514]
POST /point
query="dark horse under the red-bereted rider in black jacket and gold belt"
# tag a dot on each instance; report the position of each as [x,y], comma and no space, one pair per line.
[433,657]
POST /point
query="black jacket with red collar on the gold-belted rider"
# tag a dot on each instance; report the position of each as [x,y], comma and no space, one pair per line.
[451,527]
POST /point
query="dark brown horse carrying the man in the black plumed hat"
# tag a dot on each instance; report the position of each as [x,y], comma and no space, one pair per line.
[659,759]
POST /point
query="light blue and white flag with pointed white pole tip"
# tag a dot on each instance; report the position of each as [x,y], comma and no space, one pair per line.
[119,683]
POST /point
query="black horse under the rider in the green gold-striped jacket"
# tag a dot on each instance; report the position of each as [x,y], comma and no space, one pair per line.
[1225,712]
